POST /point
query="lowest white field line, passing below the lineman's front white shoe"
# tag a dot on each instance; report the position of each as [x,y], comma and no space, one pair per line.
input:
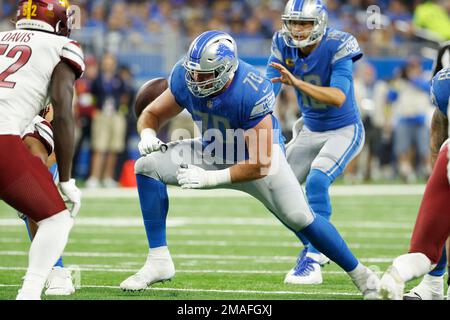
[309,293]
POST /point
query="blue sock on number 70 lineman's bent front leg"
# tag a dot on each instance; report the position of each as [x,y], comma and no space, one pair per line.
[154,206]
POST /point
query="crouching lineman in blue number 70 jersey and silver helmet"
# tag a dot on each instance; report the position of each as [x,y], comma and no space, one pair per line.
[222,92]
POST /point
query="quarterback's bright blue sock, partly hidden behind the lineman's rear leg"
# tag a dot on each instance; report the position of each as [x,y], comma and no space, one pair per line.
[317,185]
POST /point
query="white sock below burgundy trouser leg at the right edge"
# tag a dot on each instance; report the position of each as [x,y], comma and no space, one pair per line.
[412,265]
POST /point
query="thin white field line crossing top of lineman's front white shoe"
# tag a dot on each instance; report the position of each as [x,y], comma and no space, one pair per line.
[273,259]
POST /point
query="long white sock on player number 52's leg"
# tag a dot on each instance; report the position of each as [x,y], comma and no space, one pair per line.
[46,247]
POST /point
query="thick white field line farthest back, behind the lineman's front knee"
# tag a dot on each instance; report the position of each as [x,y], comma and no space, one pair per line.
[175,192]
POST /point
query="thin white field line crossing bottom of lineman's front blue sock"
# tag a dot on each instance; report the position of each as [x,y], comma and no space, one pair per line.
[213,243]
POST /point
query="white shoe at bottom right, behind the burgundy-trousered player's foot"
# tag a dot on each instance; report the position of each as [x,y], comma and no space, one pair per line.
[431,288]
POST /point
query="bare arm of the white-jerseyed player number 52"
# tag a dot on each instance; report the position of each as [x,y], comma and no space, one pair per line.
[62,88]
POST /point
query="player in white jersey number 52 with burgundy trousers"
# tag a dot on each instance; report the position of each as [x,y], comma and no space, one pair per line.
[39,64]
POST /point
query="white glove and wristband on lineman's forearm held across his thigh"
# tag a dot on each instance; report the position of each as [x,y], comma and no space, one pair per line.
[195,177]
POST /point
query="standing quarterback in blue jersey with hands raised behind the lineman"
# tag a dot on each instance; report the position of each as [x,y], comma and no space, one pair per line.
[317,61]
